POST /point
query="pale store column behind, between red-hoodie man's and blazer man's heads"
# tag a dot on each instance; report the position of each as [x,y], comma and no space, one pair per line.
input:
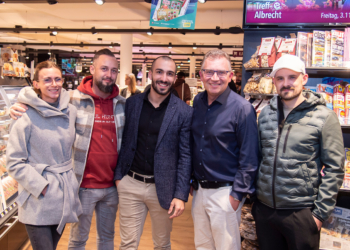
[125,58]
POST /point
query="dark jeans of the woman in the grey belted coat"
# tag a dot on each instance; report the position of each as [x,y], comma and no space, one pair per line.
[43,237]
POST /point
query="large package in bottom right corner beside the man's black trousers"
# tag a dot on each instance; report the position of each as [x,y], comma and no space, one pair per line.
[335,232]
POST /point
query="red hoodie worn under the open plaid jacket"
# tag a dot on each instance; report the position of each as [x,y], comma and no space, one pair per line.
[103,155]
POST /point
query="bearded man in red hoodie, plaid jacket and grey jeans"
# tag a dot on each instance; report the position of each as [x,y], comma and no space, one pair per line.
[99,128]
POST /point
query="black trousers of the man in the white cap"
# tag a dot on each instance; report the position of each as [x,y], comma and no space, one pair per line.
[285,229]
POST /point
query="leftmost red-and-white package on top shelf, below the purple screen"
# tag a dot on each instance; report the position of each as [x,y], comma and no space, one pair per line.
[267,52]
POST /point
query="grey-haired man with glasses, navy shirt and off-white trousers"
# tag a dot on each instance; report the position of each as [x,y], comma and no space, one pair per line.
[225,156]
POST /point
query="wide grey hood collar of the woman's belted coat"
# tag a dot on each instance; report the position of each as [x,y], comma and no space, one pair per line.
[28,96]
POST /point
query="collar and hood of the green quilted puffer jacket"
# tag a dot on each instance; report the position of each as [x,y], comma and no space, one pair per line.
[311,99]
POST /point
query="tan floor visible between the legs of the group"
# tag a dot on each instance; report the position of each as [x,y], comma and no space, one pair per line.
[181,237]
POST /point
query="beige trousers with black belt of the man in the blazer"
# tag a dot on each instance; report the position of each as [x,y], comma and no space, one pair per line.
[136,198]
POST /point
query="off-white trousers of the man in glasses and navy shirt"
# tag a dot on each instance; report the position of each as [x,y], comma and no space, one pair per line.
[216,224]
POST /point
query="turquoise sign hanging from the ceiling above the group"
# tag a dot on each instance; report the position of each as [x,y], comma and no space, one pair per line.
[180,14]
